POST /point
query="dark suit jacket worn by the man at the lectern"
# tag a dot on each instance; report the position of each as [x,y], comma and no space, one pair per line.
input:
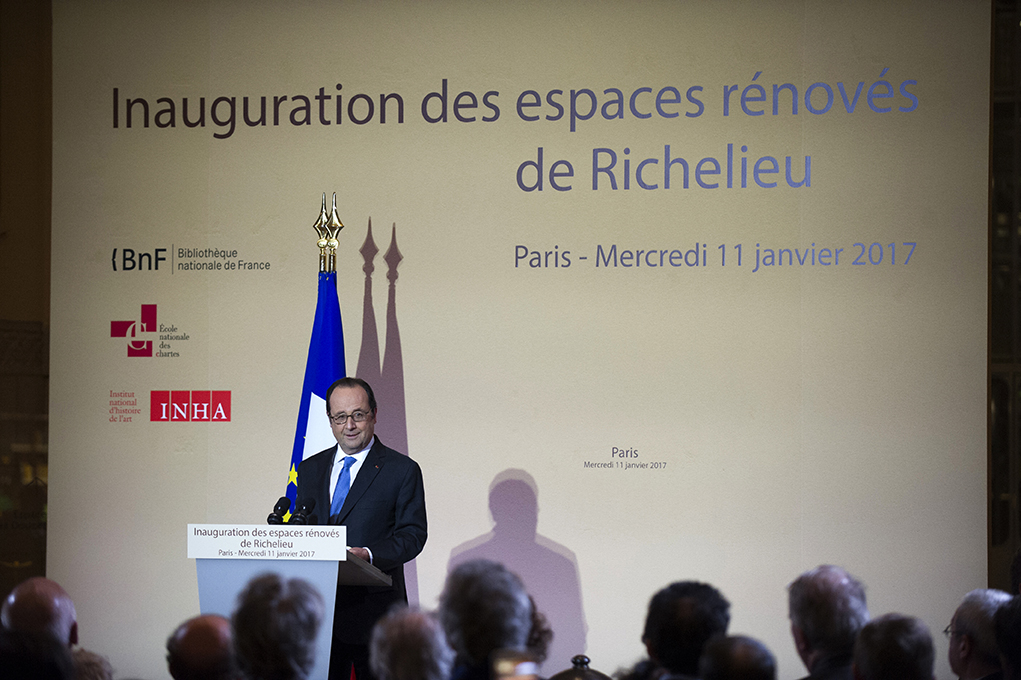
[385,512]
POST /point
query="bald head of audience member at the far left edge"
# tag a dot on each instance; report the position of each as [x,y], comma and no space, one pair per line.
[41,606]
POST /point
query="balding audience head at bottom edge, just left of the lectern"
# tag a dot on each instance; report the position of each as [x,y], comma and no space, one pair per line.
[201,650]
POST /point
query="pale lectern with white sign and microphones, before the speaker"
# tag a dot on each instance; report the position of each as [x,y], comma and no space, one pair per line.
[229,556]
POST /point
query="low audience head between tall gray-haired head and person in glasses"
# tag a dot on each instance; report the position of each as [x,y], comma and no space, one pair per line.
[895,648]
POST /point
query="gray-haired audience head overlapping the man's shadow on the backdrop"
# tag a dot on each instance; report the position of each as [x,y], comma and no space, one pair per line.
[484,607]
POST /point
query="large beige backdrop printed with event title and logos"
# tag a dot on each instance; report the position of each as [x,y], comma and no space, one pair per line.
[652,292]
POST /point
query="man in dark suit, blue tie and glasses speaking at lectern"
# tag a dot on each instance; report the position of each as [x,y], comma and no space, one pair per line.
[378,495]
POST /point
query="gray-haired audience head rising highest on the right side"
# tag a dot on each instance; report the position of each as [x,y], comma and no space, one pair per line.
[829,606]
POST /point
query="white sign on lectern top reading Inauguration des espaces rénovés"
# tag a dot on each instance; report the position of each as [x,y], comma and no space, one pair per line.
[258,542]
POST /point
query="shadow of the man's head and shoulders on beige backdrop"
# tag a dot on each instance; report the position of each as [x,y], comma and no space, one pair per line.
[549,569]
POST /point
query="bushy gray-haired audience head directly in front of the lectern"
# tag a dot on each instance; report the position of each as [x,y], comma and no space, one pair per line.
[275,628]
